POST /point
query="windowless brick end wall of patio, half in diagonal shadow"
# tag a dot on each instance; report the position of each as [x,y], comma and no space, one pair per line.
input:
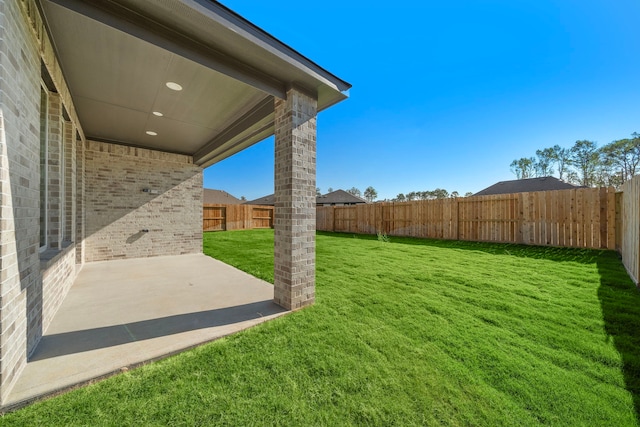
[121,210]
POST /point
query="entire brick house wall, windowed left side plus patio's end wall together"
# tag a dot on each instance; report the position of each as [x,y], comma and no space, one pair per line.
[95,206]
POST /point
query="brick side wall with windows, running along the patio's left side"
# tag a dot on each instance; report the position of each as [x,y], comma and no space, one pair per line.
[33,280]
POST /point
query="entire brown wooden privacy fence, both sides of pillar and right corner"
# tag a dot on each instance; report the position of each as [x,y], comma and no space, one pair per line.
[585,218]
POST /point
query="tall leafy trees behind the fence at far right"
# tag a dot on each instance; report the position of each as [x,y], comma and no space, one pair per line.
[584,163]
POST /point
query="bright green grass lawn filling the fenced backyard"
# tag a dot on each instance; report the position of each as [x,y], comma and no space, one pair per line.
[406,332]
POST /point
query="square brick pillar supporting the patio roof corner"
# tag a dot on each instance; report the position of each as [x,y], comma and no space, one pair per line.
[295,200]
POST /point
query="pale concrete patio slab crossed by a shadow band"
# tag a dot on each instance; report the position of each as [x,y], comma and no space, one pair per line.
[120,314]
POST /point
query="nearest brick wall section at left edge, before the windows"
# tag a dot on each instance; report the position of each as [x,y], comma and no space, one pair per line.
[20,180]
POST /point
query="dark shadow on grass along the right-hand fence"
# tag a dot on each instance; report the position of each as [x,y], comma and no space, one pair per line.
[620,303]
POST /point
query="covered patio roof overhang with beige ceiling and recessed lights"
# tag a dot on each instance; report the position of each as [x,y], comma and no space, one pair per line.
[118,55]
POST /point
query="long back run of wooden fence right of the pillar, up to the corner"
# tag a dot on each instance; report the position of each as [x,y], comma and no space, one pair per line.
[584,217]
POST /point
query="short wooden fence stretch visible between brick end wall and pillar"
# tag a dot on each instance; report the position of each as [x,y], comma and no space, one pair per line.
[217,217]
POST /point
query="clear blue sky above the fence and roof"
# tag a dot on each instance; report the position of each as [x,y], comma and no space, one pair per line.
[447,93]
